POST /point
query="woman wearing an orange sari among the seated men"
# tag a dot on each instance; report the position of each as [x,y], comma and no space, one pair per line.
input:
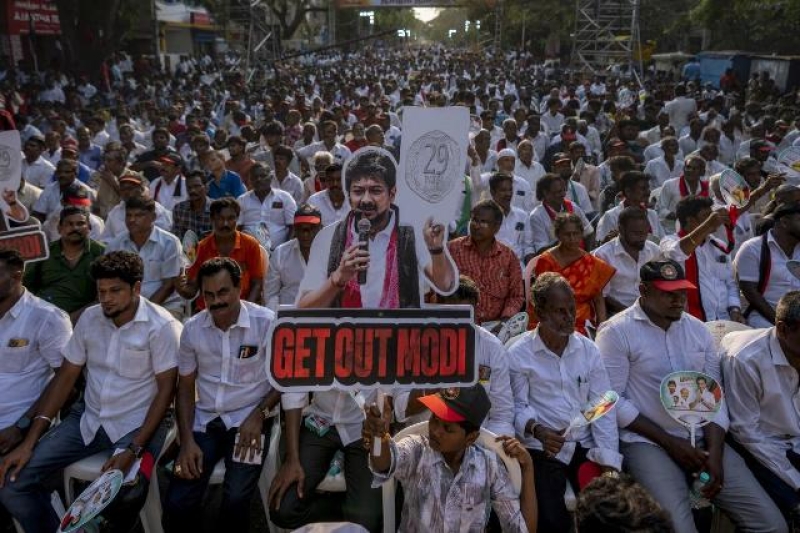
[587,275]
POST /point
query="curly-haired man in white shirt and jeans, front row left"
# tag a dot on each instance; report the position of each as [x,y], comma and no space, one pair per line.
[128,348]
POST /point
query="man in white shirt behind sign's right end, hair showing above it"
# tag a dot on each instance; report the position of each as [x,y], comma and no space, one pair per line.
[492,360]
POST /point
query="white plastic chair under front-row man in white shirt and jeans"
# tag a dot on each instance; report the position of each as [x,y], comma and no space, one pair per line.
[88,469]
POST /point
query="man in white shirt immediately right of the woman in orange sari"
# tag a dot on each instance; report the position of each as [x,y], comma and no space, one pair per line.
[627,252]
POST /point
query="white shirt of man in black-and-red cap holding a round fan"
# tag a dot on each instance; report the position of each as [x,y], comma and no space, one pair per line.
[638,355]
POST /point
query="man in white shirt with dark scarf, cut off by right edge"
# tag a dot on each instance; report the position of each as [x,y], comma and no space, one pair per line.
[761,266]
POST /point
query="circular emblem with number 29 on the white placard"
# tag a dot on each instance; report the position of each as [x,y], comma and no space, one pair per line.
[432,166]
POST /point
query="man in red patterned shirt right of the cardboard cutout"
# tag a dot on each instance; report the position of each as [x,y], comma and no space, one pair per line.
[492,265]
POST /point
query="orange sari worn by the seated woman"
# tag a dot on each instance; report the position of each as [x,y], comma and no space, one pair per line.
[587,276]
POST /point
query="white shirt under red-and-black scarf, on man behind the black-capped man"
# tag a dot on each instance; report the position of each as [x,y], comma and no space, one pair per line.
[718,288]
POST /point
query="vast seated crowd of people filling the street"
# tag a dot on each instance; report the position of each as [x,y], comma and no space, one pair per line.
[182,209]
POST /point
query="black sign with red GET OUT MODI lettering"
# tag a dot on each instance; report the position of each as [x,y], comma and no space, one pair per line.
[321,349]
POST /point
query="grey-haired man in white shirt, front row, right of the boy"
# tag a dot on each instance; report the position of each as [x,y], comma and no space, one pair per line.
[555,372]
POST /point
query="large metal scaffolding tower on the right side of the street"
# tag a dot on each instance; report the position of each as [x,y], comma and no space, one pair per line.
[606,32]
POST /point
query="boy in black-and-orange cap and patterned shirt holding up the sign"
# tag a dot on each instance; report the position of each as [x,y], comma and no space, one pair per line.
[435,500]
